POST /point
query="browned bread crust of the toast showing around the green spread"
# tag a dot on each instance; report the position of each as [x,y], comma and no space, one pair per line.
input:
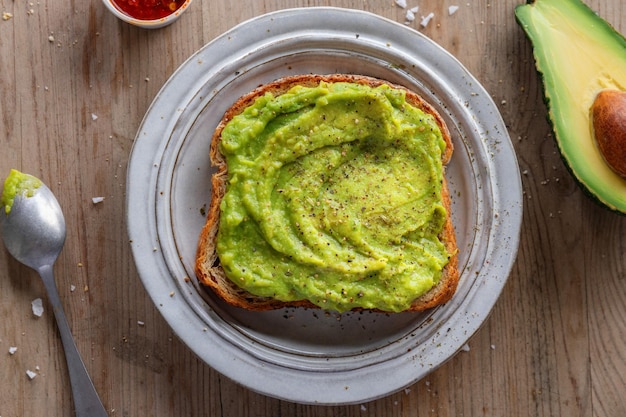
[208,268]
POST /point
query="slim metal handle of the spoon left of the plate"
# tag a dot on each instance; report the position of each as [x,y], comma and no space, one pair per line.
[86,400]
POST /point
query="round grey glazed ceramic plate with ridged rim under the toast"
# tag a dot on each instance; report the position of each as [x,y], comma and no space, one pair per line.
[300,355]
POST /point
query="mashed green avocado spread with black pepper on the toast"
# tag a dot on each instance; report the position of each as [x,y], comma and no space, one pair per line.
[334,196]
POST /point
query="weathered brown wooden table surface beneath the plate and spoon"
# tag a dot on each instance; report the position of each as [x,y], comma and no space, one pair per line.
[74,85]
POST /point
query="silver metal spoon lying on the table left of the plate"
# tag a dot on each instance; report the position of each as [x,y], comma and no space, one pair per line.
[34,232]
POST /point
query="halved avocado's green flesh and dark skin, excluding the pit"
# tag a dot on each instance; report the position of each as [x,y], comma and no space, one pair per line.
[577,54]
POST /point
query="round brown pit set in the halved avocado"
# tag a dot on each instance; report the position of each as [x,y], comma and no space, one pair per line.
[608,115]
